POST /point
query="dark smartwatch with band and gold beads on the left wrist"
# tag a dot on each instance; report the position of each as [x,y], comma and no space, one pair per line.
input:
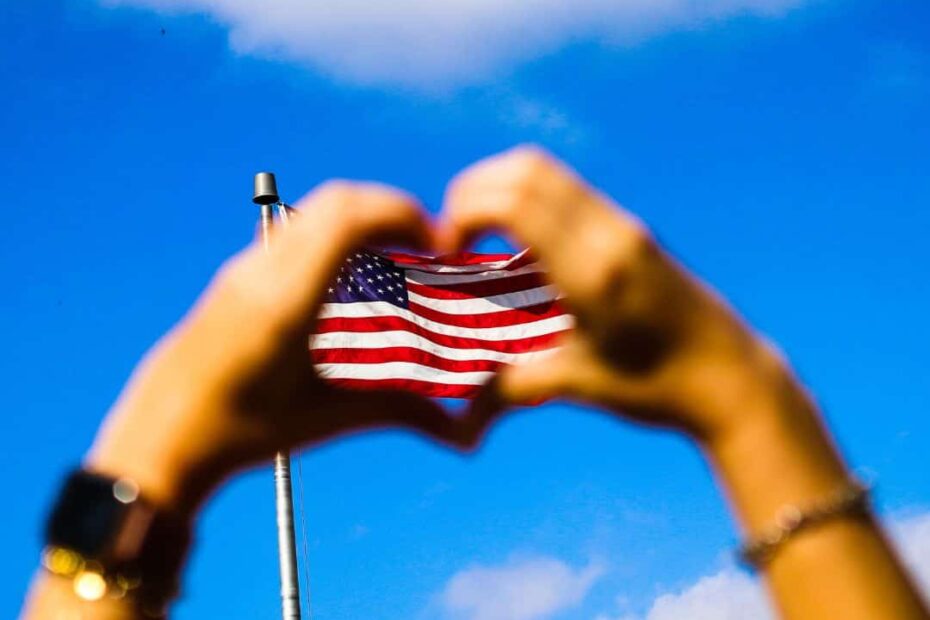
[104,536]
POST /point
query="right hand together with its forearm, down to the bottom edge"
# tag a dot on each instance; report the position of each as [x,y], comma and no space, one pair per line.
[656,344]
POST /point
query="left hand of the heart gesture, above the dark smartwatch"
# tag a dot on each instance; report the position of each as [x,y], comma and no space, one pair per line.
[234,381]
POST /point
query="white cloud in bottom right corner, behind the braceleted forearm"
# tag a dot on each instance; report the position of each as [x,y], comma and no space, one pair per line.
[733,595]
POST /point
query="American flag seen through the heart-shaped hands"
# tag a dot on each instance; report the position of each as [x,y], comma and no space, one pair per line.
[435,326]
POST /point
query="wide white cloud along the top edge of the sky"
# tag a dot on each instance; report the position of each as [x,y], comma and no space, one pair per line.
[440,44]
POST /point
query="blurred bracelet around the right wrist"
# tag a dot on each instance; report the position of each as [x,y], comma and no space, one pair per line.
[850,500]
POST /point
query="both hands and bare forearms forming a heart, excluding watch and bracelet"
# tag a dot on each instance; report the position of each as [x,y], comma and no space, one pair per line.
[234,381]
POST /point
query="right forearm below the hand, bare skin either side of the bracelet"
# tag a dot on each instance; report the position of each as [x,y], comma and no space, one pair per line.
[842,568]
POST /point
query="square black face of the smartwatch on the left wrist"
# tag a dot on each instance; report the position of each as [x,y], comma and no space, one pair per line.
[86,516]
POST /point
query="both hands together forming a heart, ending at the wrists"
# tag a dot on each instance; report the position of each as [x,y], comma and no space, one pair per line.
[234,382]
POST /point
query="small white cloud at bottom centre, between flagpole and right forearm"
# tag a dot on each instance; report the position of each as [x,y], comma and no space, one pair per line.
[524,589]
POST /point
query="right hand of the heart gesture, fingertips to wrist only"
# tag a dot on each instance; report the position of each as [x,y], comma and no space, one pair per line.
[651,340]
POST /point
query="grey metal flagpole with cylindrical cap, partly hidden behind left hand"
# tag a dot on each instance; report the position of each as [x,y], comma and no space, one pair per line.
[266,196]
